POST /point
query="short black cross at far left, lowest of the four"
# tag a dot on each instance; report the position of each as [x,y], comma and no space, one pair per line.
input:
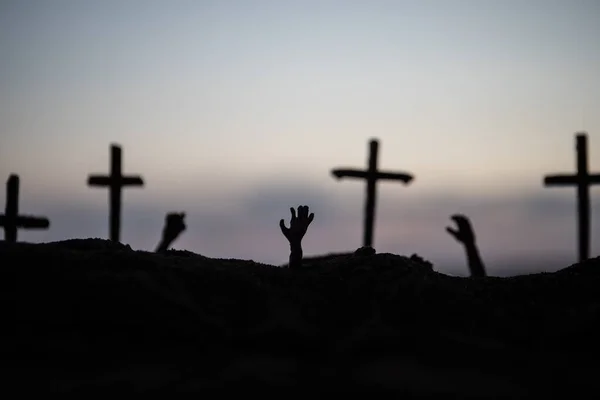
[11,220]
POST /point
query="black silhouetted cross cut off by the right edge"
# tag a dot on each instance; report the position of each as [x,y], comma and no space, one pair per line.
[582,180]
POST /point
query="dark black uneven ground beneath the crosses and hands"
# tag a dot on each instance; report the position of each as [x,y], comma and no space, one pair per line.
[91,316]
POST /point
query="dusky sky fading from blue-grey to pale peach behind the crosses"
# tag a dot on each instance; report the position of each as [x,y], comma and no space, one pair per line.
[235,111]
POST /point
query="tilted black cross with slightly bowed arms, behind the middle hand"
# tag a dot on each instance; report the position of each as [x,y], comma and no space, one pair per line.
[371,175]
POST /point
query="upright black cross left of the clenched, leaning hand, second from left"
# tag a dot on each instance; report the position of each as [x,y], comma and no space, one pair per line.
[115,182]
